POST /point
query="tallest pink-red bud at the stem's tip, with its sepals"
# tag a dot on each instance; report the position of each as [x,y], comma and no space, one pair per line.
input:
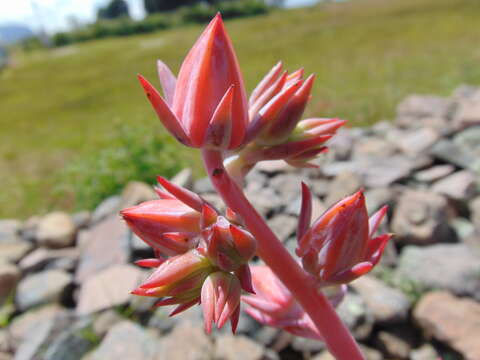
[207,103]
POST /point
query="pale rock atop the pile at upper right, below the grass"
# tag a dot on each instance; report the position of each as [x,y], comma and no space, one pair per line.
[422,106]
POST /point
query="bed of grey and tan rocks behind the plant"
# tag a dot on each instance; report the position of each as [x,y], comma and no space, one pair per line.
[65,278]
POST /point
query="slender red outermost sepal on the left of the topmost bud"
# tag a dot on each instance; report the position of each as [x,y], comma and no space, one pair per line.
[167,117]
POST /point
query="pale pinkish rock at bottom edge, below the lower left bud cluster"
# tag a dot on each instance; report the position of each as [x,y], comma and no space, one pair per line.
[127,340]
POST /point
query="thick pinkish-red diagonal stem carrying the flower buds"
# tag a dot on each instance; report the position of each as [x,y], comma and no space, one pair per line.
[337,337]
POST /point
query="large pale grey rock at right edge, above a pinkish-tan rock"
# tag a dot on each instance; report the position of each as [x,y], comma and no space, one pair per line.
[458,265]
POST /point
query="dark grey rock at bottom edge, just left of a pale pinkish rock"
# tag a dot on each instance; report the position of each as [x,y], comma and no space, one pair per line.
[71,344]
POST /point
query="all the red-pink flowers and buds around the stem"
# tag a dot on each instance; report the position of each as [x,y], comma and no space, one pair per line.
[202,256]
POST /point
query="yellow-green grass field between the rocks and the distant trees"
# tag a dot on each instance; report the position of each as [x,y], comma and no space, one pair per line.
[59,106]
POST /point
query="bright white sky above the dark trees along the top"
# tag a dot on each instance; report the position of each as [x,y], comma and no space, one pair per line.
[57,15]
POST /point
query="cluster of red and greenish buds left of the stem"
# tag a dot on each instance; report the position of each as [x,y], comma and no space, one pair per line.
[201,256]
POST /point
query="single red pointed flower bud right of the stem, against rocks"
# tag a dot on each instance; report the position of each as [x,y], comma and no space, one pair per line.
[340,245]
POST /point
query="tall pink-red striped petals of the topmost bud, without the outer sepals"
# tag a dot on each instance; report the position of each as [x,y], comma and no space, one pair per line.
[209,69]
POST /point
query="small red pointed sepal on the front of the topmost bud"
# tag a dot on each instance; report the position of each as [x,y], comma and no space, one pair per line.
[219,129]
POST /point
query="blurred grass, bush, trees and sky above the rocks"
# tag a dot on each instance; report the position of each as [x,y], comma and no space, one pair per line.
[75,125]
